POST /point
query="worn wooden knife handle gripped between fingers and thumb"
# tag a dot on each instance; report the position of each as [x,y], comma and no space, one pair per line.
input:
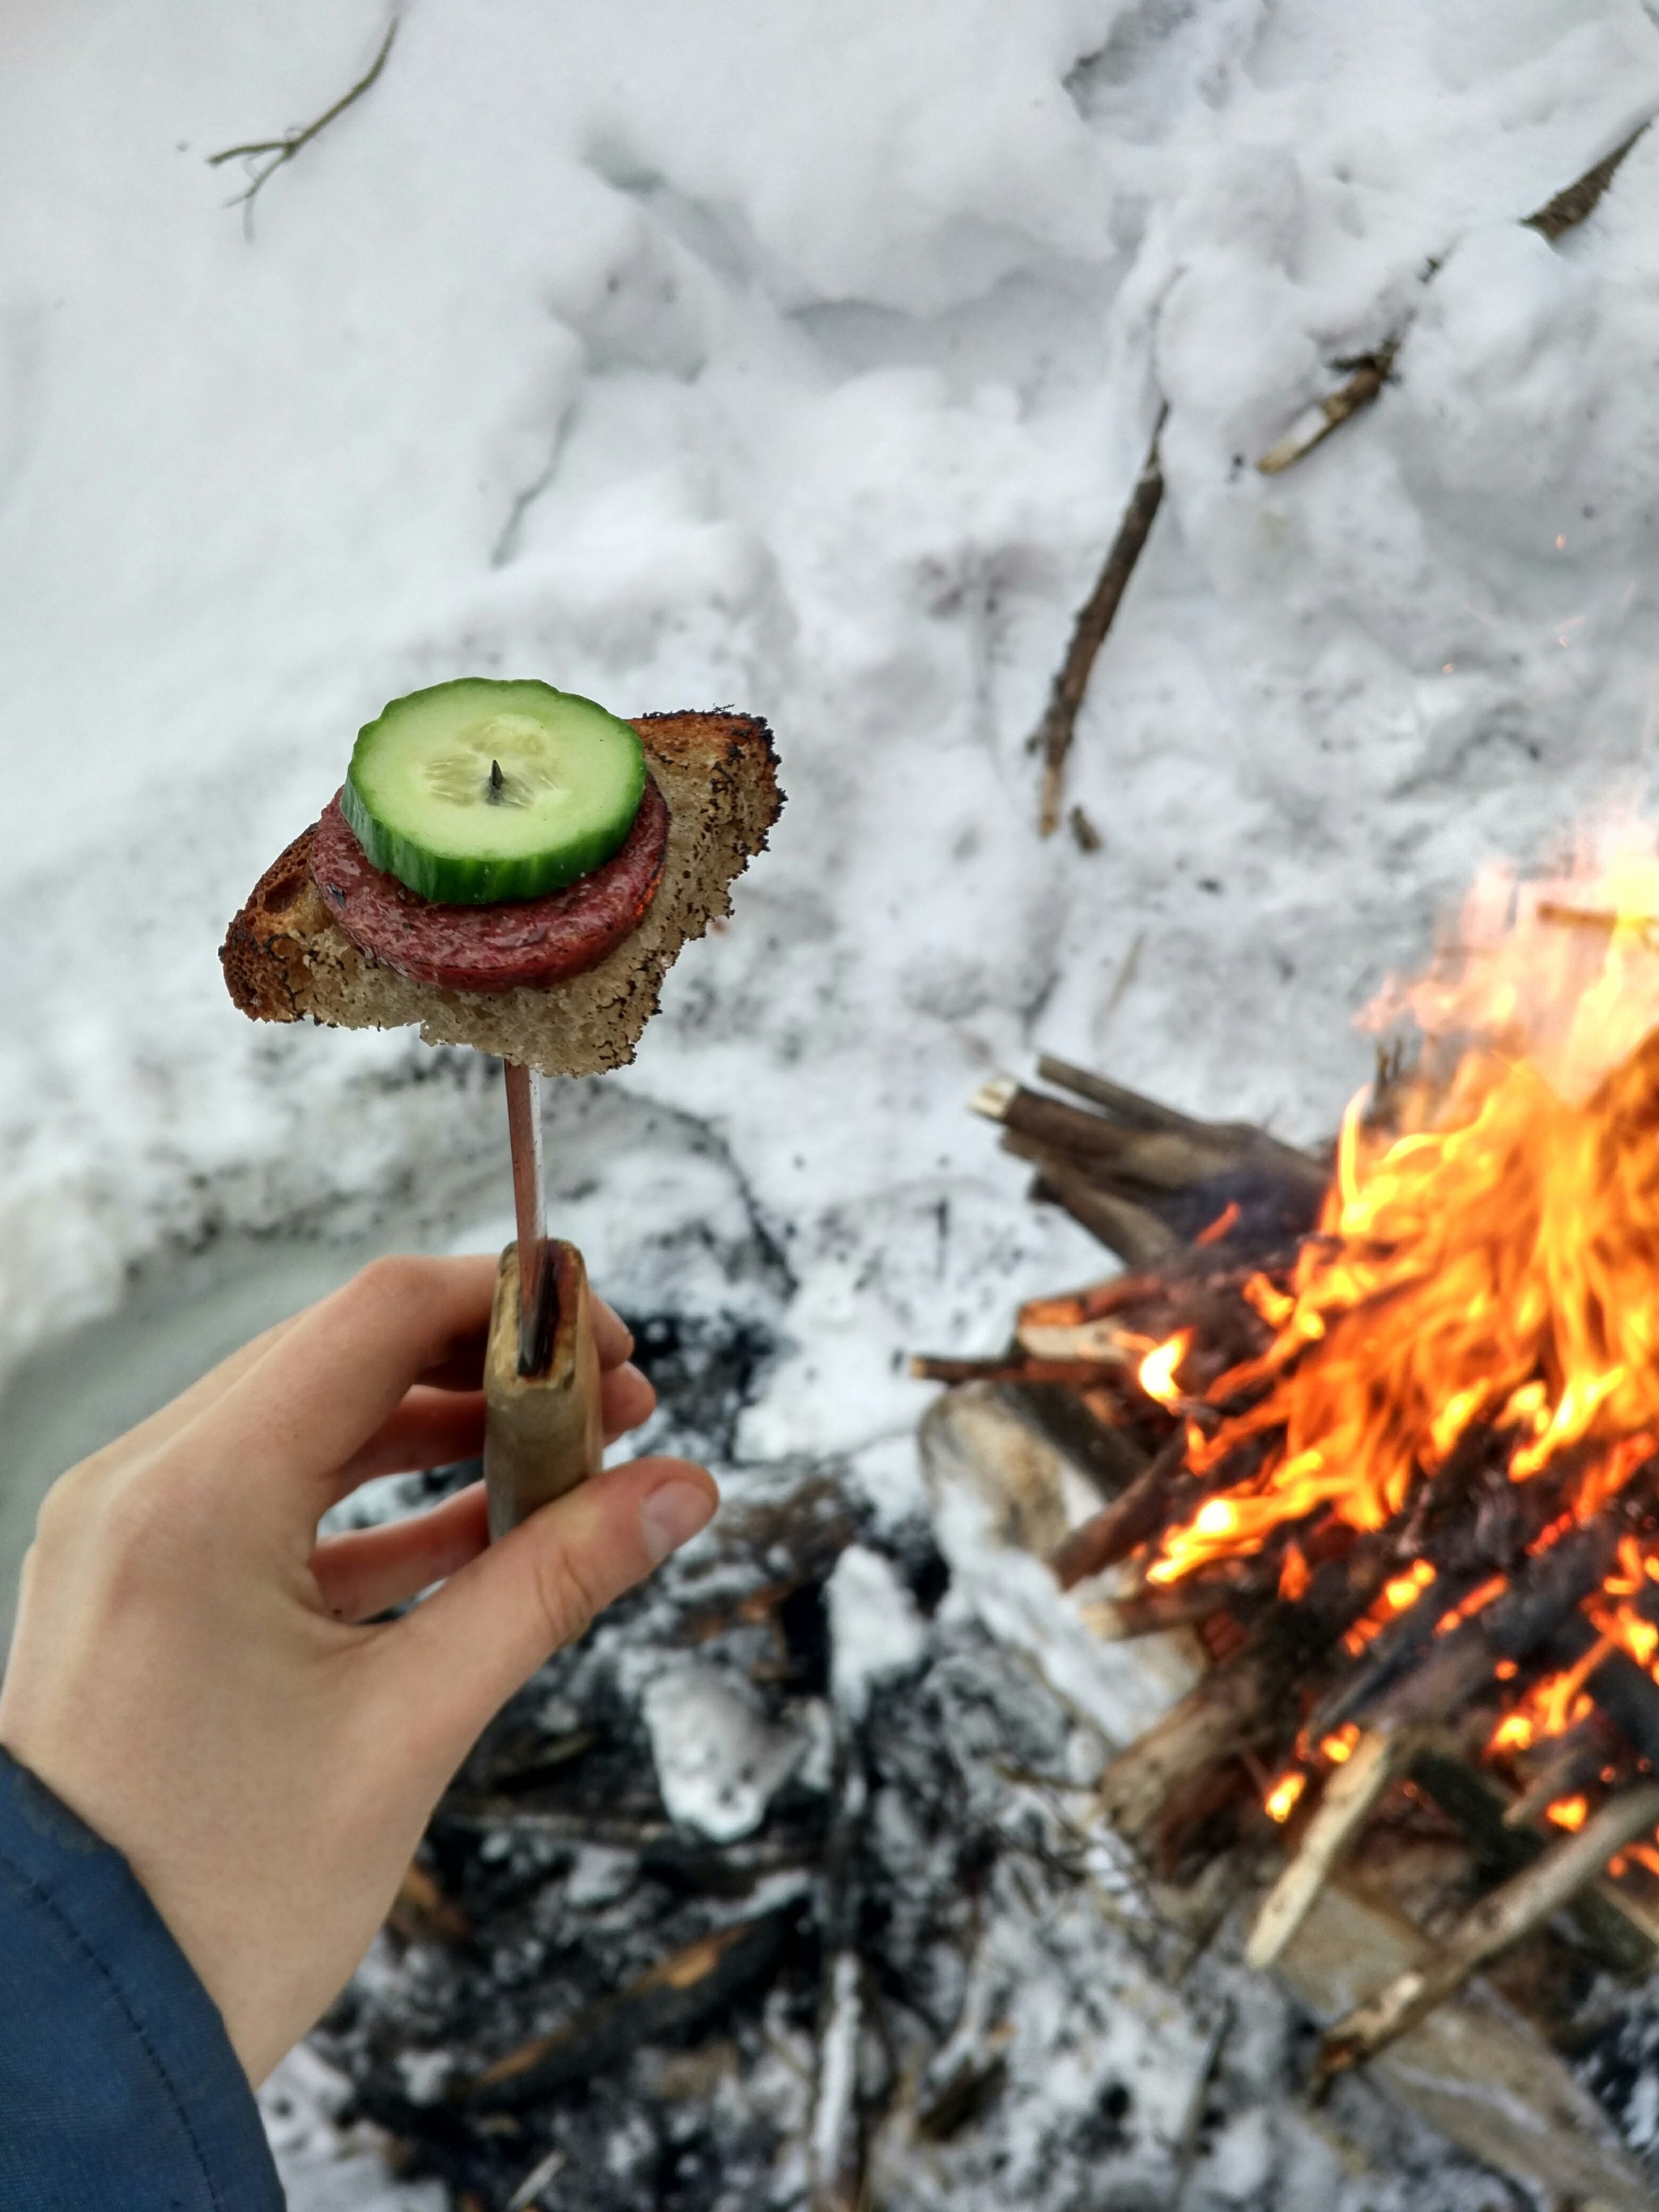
[543,1434]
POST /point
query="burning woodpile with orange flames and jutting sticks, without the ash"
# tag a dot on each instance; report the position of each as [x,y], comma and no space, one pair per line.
[1386,1432]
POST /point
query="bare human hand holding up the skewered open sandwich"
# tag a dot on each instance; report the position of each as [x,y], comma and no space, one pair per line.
[194,1671]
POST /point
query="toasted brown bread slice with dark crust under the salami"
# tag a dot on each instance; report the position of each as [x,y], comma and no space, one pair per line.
[286,957]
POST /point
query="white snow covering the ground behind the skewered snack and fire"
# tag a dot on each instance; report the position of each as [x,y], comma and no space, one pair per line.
[802,359]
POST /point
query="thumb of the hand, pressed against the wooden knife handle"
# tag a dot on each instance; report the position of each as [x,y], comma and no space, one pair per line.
[477,1640]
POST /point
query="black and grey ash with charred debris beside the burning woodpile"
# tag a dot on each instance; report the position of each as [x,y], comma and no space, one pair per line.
[782,1884]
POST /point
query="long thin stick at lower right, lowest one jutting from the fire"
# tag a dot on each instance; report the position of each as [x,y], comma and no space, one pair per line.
[1492,1928]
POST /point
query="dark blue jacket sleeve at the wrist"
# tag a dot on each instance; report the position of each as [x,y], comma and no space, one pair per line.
[118,2085]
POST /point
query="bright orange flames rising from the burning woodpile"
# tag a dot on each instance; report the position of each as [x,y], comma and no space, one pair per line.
[1492,1255]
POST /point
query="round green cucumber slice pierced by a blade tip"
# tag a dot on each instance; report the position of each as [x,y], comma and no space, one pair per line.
[479,791]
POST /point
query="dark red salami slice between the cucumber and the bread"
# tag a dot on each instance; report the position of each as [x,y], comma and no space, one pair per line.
[519,941]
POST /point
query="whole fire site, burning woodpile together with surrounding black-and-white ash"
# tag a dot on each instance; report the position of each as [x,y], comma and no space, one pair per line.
[833,1868]
